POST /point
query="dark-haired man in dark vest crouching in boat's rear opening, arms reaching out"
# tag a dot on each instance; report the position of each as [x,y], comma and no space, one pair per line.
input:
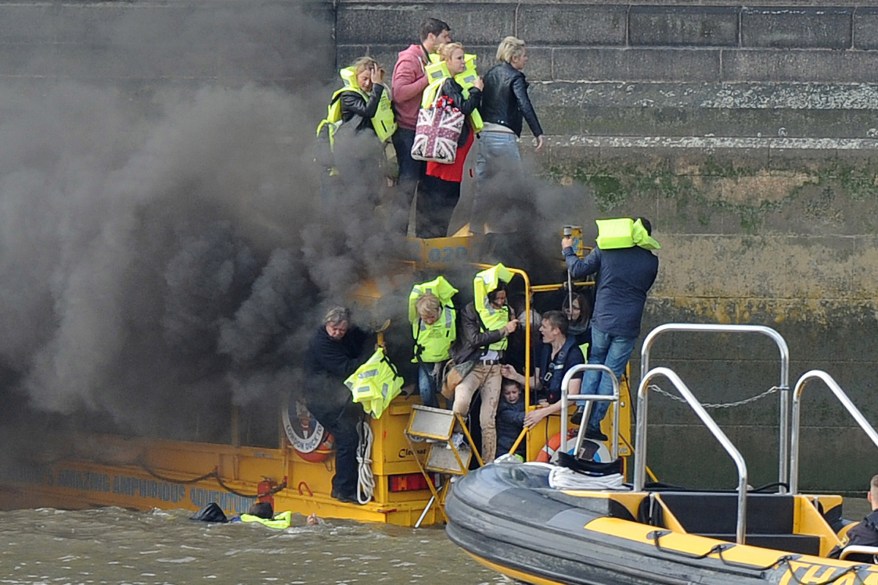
[557,355]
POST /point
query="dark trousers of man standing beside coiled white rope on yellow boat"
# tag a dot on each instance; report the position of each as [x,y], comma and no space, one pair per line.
[342,423]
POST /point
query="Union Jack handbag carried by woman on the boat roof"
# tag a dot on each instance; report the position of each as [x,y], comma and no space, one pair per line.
[437,132]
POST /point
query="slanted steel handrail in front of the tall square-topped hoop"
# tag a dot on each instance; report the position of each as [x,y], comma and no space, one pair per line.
[640,441]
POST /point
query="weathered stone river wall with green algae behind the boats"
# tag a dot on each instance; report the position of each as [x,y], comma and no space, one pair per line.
[747,133]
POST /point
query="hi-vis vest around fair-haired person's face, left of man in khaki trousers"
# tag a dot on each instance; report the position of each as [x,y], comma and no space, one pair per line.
[433,342]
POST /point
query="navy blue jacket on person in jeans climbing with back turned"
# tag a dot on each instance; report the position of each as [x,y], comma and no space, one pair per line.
[624,278]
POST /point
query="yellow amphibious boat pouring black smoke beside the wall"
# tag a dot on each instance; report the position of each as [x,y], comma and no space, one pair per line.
[83,470]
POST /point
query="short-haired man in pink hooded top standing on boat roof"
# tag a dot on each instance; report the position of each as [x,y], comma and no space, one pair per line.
[408,85]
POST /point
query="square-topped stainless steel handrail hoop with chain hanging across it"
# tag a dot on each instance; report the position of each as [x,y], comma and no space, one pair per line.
[784,423]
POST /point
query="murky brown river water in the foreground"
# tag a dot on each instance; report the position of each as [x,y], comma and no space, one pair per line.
[116,546]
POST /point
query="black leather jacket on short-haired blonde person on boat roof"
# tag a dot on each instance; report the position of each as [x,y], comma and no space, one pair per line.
[505,100]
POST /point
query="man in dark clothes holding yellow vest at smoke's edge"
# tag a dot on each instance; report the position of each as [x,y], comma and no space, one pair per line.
[335,351]
